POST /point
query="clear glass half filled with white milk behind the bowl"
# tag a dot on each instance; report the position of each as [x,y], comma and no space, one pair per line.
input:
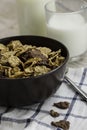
[66,21]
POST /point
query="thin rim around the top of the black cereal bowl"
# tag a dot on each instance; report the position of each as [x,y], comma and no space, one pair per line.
[46,74]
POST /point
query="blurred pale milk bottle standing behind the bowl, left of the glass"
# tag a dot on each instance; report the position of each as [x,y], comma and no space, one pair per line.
[31,17]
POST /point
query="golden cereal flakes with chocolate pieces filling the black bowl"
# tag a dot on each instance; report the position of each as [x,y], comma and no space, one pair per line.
[19,60]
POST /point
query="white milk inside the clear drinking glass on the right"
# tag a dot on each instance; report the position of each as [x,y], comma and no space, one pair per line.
[71,30]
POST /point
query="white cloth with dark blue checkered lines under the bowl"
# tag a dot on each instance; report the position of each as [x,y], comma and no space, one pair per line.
[37,117]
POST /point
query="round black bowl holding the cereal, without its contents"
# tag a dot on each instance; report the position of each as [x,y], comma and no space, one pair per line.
[27,91]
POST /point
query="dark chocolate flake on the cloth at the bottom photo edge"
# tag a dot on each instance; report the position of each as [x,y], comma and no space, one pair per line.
[62,124]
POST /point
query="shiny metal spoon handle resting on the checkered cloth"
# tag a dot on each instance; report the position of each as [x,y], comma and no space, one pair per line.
[76,88]
